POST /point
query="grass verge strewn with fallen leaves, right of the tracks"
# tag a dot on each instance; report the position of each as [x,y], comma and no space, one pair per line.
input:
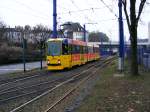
[118,94]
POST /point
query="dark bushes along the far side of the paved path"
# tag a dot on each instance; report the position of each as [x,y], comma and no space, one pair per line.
[13,54]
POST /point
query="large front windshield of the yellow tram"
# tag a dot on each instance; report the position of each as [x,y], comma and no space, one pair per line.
[54,48]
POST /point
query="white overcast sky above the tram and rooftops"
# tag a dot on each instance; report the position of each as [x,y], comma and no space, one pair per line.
[32,12]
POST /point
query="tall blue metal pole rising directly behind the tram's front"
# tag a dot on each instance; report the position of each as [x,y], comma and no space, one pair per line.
[54,19]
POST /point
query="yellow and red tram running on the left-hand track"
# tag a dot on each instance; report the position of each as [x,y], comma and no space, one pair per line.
[66,53]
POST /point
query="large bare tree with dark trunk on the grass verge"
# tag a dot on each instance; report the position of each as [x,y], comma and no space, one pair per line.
[132,22]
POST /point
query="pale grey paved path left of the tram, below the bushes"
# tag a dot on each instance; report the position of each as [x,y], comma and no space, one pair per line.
[19,67]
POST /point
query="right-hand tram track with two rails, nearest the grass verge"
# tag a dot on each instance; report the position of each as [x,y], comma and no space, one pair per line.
[78,76]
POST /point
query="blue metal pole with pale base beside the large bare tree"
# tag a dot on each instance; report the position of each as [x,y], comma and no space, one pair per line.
[121,39]
